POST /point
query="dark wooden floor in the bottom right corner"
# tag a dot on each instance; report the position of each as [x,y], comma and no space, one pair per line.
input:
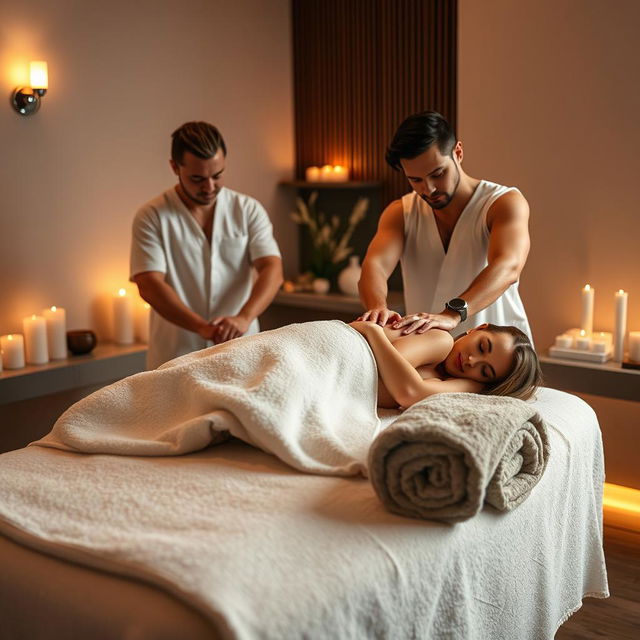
[618,617]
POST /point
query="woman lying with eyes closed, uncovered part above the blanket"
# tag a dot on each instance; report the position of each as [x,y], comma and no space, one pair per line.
[488,359]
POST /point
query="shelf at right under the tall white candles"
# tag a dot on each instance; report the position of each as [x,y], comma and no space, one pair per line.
[608,379]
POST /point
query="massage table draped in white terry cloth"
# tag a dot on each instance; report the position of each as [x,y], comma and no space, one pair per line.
[252,548]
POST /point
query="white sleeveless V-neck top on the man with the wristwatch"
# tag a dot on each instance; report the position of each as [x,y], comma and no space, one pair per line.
[431,277]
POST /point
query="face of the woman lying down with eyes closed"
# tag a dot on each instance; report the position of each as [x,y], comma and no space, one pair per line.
[481,355]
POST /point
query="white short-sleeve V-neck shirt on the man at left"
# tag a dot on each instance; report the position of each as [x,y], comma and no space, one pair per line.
[211,279]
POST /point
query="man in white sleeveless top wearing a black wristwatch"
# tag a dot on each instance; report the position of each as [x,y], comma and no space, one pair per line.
[461,242]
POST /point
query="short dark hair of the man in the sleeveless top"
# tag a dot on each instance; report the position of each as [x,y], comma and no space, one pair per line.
[417,134]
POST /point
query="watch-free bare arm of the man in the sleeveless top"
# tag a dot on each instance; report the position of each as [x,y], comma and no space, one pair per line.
[382,257]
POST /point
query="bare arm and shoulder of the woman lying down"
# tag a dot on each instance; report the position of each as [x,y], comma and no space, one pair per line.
[399,375]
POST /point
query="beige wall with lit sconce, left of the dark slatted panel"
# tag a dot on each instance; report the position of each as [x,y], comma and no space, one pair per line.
[123,75]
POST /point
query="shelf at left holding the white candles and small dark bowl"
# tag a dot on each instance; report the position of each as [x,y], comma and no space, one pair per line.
[107,362]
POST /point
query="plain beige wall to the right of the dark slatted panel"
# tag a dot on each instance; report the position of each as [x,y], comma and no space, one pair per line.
[549,100]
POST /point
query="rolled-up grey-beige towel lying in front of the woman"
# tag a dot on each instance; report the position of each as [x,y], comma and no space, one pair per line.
[448,454]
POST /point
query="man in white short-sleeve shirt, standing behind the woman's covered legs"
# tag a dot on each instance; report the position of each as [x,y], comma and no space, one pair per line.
[203,256]
